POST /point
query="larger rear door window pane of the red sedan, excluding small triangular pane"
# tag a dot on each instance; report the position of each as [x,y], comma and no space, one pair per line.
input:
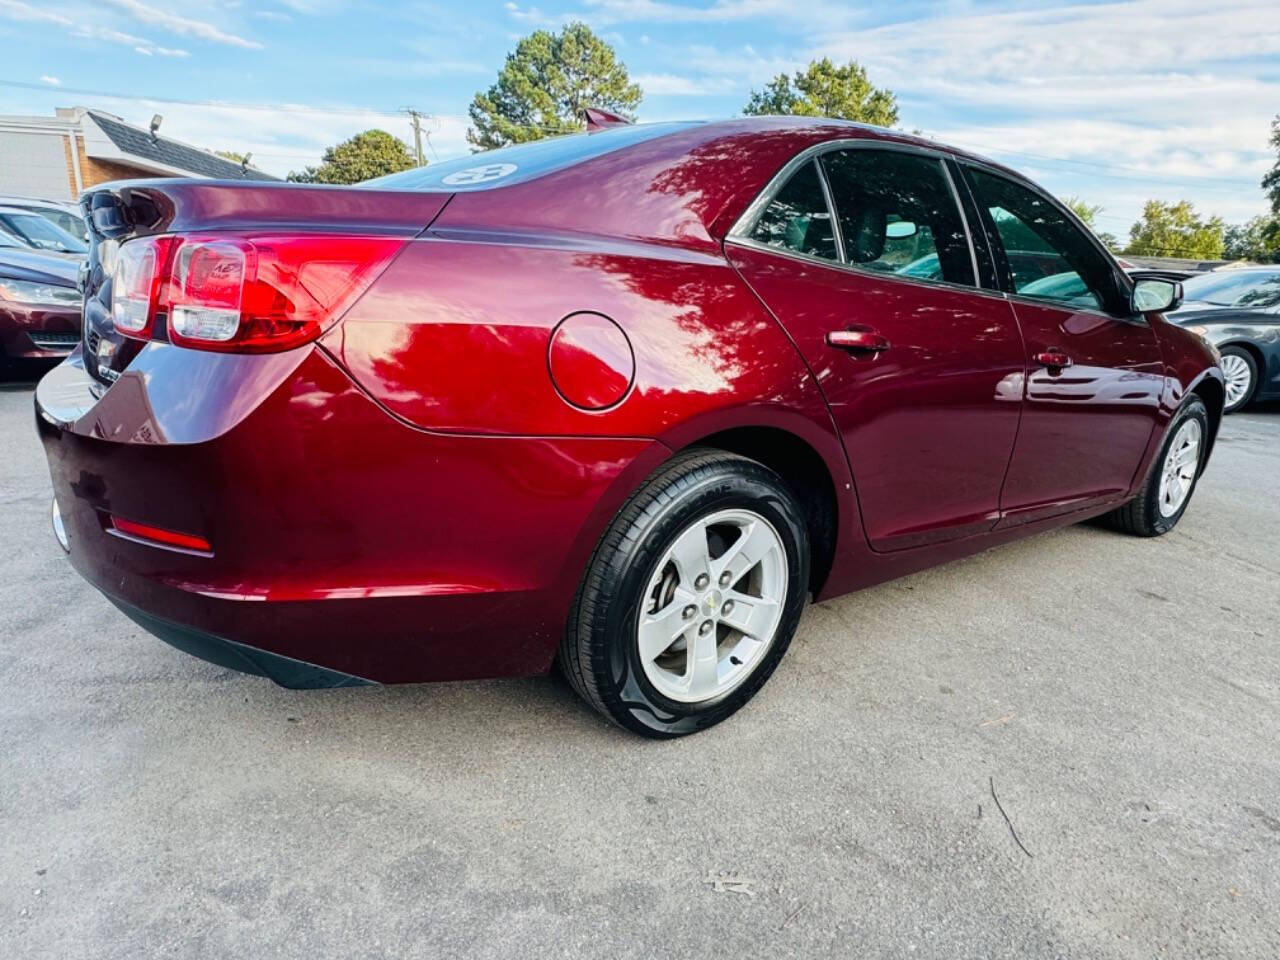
[898,214]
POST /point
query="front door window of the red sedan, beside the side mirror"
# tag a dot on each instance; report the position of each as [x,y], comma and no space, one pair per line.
[1049,257]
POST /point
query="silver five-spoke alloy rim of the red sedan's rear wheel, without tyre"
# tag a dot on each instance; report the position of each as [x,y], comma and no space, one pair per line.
[714,606]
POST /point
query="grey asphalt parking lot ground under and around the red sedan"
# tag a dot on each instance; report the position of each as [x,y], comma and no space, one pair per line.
[1121,697]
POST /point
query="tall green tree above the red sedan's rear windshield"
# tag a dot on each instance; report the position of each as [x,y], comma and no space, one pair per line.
[547,83]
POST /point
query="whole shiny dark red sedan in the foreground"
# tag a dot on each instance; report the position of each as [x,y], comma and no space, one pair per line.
[619,401]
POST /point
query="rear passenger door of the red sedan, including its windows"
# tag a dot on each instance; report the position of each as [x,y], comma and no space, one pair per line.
[862,253]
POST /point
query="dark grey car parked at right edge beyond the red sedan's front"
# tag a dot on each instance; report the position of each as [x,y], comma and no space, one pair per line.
[1238,312]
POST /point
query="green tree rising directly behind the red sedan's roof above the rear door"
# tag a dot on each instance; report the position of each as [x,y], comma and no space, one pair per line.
[826,90]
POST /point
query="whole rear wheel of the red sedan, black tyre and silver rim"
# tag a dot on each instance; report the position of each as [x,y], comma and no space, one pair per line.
[692,598]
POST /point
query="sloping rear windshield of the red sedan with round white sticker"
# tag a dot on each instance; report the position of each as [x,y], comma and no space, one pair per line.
[523,162]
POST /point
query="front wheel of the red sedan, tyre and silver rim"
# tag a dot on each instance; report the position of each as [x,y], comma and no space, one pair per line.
[1173,477]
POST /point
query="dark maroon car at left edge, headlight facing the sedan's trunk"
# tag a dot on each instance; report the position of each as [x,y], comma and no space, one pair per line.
[40,305]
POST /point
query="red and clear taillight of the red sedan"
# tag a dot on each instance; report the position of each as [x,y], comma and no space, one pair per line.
[249,295]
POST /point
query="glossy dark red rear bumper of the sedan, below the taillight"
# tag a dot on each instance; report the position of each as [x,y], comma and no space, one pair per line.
[345,546]
